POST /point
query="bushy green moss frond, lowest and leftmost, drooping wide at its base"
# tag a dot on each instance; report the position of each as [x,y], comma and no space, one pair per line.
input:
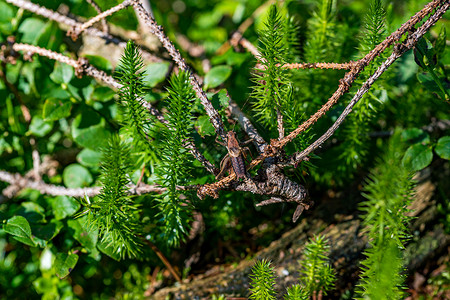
[114,214]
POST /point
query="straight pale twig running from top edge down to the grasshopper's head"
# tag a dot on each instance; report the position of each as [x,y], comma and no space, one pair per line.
[178,59]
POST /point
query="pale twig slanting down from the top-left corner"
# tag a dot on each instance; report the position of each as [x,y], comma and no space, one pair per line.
[61,19]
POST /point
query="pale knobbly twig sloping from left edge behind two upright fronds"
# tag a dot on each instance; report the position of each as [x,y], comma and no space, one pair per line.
[81,66]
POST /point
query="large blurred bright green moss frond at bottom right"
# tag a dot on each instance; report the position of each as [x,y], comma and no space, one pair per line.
[388,193]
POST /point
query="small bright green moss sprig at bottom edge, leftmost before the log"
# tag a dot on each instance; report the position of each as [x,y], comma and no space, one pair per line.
[262,281]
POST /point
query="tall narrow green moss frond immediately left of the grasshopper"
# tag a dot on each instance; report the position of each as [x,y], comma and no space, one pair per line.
[175,159]
